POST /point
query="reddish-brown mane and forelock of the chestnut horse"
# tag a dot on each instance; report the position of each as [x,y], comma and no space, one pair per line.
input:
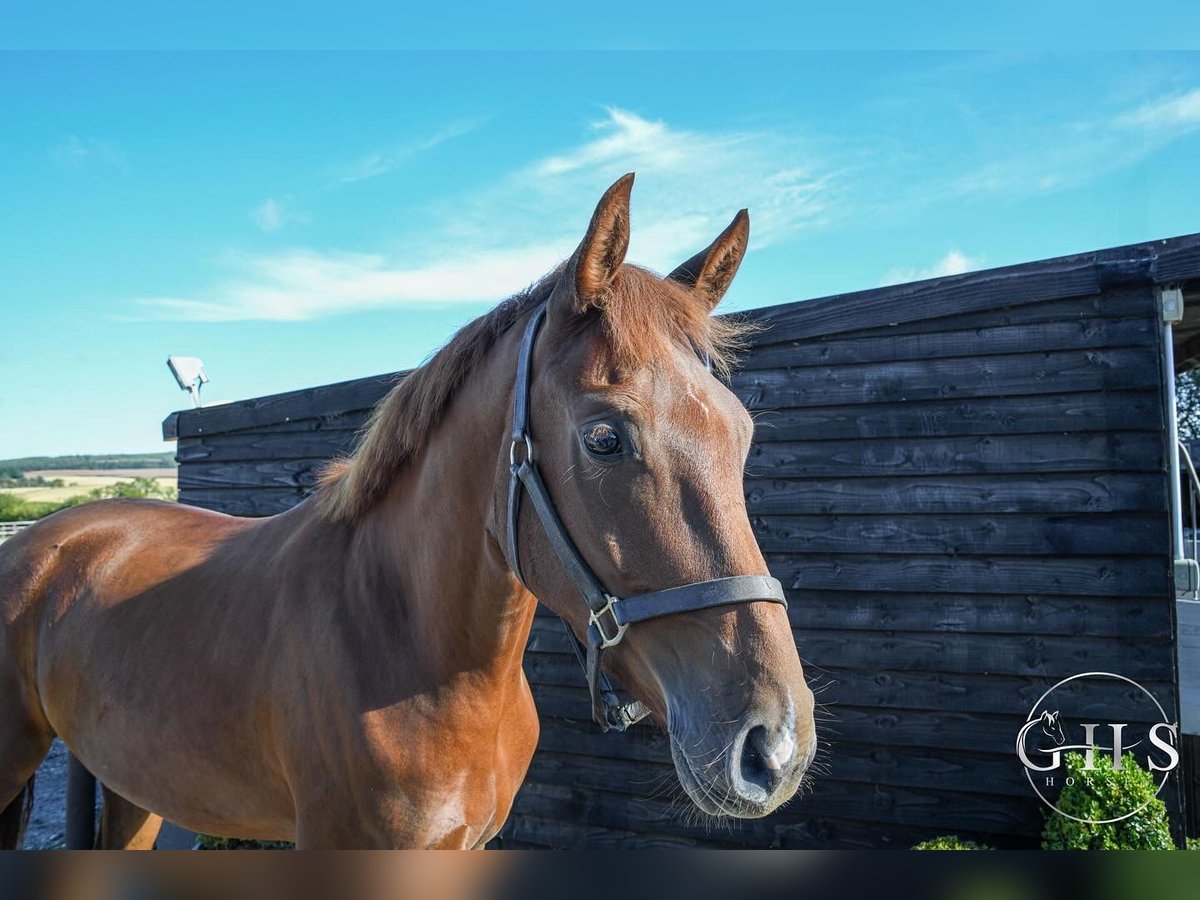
[643,317]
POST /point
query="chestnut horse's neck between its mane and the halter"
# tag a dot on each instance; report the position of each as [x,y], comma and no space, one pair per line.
[430,541]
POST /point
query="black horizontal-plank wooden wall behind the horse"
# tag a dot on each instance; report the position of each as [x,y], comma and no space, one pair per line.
[961,482]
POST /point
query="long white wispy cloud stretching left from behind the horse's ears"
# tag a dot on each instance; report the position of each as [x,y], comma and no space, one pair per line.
[491,243]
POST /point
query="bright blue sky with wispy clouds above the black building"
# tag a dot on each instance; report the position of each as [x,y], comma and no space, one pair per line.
[299,219]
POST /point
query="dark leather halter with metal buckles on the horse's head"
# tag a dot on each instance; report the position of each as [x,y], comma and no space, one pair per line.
[610,615]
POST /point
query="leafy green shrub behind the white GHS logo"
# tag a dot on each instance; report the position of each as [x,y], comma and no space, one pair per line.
[1107,794]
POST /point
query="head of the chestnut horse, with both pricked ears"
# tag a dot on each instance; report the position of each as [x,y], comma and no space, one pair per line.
[643,451]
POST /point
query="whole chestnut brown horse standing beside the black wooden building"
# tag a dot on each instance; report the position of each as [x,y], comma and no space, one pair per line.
[349,674]
